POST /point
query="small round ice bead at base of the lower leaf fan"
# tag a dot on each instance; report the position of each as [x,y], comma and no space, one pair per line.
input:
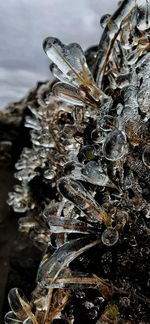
[110,236]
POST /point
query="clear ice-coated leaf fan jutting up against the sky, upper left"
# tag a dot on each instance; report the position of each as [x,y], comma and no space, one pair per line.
[70,61]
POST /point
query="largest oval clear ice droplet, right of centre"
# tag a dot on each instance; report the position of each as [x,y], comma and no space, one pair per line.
[114,146]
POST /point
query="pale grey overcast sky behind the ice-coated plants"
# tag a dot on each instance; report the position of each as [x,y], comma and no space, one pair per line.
[23,26]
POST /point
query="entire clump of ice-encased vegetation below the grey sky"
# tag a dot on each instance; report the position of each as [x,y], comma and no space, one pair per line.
[83,179]
